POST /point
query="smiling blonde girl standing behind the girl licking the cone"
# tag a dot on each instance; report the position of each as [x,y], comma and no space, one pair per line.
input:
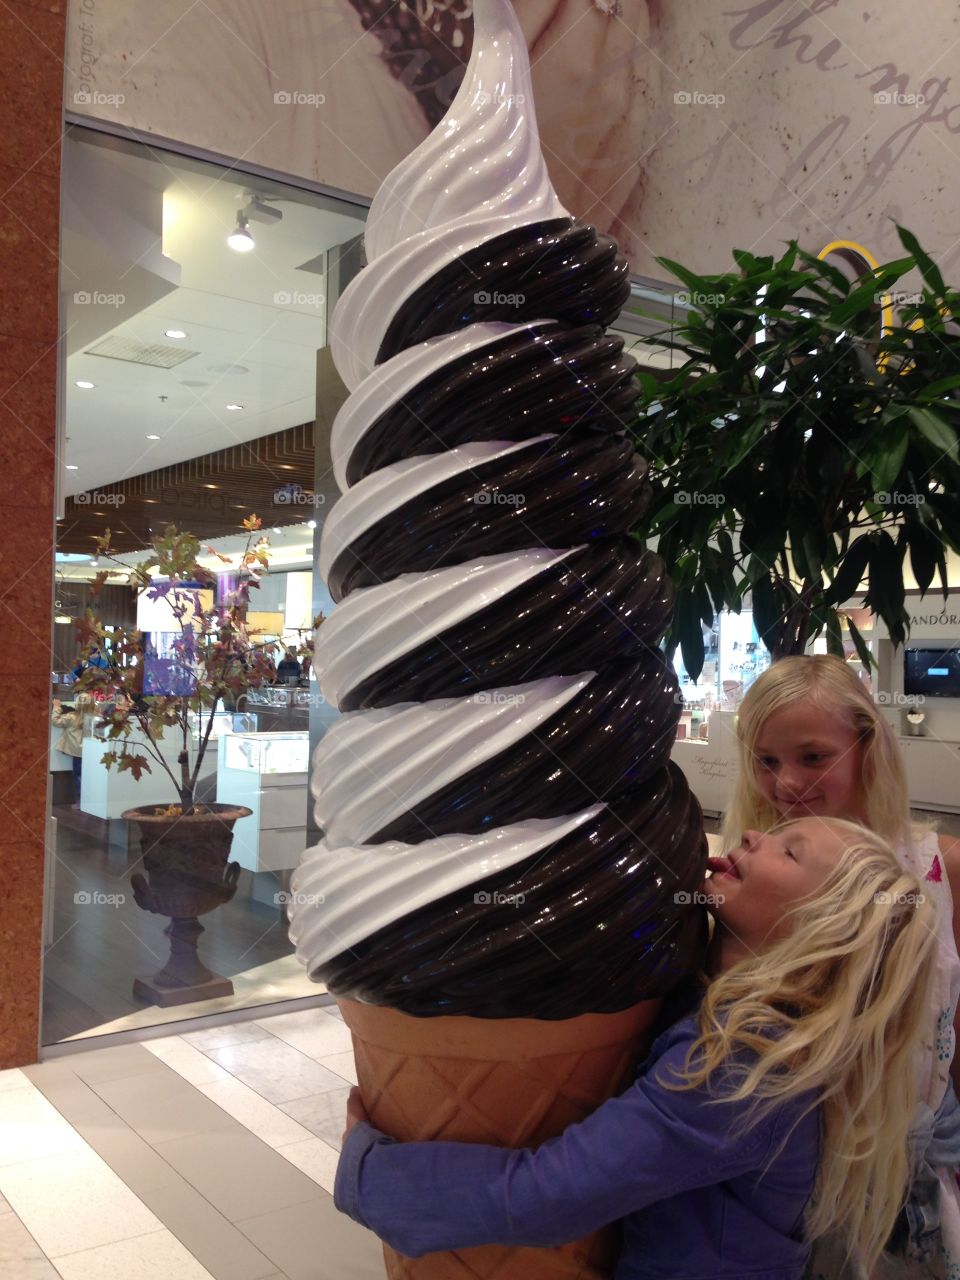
[812,742]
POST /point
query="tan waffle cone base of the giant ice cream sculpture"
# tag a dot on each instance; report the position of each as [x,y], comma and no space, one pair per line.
[511,1082]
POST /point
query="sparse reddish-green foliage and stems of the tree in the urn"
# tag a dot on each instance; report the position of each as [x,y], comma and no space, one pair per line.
[214,657]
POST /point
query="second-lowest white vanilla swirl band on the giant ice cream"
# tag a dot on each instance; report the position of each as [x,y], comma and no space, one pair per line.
[372,767]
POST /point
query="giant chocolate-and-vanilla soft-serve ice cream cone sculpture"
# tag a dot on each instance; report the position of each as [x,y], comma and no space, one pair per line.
[504,889]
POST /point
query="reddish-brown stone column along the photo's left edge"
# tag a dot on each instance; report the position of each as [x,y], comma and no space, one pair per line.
[31,108]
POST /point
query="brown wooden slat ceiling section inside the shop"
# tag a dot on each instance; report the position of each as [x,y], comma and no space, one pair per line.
[208,496]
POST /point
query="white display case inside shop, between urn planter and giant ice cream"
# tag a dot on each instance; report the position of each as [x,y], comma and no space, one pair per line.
[268,774]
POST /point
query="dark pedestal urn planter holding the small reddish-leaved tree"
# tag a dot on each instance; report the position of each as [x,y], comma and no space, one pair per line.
[189,874]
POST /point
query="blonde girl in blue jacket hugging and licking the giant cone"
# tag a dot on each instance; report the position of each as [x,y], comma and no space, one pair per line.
[794,1076]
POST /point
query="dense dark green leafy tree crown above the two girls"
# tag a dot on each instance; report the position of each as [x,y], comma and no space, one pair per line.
[807,441]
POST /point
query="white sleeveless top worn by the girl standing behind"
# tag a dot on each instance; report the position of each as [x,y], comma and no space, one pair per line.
[926,863]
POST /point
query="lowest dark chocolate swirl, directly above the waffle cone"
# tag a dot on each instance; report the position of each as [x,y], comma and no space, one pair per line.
[525,943]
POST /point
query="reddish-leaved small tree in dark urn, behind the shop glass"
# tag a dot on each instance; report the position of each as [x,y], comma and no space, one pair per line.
[149,697]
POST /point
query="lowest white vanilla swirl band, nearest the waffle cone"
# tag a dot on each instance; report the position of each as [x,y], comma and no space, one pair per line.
[342,897]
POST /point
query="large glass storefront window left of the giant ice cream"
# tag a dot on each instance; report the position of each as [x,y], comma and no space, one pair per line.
[191,377]
